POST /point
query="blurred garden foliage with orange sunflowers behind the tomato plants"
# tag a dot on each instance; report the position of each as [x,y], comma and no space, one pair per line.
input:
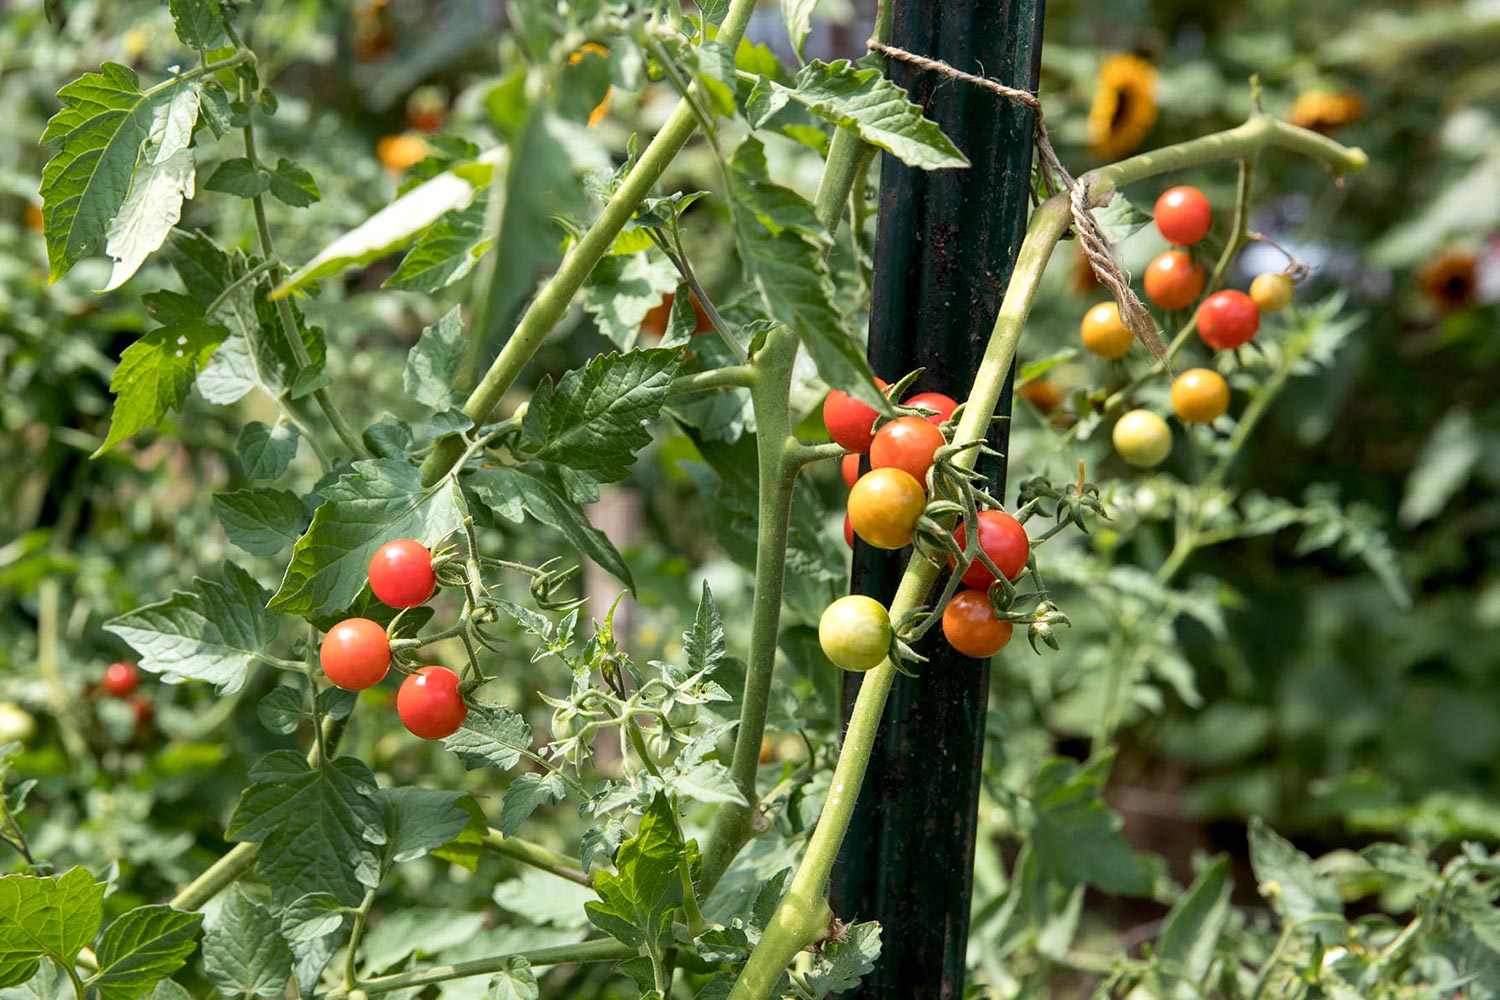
[1336,702]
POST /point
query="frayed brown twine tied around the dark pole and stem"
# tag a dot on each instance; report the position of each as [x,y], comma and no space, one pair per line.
[1055,178]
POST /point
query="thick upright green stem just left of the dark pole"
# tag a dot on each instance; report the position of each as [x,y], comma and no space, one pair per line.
[778,475]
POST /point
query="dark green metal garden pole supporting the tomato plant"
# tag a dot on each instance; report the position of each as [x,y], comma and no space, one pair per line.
[946,247]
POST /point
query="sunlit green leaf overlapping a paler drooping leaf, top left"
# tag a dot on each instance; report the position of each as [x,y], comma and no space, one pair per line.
[100,133]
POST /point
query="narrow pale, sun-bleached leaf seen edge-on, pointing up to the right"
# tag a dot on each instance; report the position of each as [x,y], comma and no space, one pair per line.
[400,221]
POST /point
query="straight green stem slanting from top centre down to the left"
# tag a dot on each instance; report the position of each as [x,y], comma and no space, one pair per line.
[548,310]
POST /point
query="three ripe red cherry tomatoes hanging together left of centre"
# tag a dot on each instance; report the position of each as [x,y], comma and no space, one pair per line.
[356,653]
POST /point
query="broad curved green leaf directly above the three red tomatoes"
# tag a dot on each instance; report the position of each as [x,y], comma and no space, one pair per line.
[382,500]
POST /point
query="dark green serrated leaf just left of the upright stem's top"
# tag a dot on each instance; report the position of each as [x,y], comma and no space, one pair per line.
[596,419]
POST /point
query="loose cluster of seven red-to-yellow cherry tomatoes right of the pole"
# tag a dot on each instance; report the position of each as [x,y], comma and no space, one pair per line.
[1226,320]
